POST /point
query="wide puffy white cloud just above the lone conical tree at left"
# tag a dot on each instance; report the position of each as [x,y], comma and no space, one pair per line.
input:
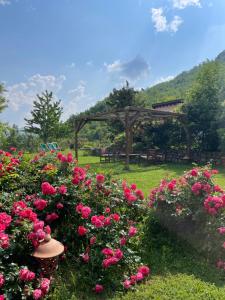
[24,93]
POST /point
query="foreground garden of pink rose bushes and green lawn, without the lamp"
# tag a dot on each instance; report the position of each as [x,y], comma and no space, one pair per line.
[154,239]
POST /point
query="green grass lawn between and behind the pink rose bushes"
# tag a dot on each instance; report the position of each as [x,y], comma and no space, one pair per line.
[178,272]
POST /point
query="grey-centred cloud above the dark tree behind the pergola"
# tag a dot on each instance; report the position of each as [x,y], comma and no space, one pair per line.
[132,70]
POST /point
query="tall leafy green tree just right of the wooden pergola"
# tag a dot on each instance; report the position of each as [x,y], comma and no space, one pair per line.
[203,108]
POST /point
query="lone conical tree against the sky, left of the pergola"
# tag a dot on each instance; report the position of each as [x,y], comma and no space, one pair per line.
[45,118]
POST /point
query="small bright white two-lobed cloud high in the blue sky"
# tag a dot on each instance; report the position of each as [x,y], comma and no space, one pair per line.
[160,21]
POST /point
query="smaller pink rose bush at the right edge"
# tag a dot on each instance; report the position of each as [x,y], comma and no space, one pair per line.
[193,207]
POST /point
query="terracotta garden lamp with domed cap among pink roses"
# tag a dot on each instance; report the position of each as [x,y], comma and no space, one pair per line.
[47,255]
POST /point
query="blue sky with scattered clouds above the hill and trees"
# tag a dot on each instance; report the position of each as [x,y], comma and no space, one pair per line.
[82,49]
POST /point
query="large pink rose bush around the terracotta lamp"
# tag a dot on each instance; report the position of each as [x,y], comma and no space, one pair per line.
[95,217]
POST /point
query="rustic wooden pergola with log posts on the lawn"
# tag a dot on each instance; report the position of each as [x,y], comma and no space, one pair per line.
[129,116]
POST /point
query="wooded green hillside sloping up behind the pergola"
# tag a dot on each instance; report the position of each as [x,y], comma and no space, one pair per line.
[176,88]
